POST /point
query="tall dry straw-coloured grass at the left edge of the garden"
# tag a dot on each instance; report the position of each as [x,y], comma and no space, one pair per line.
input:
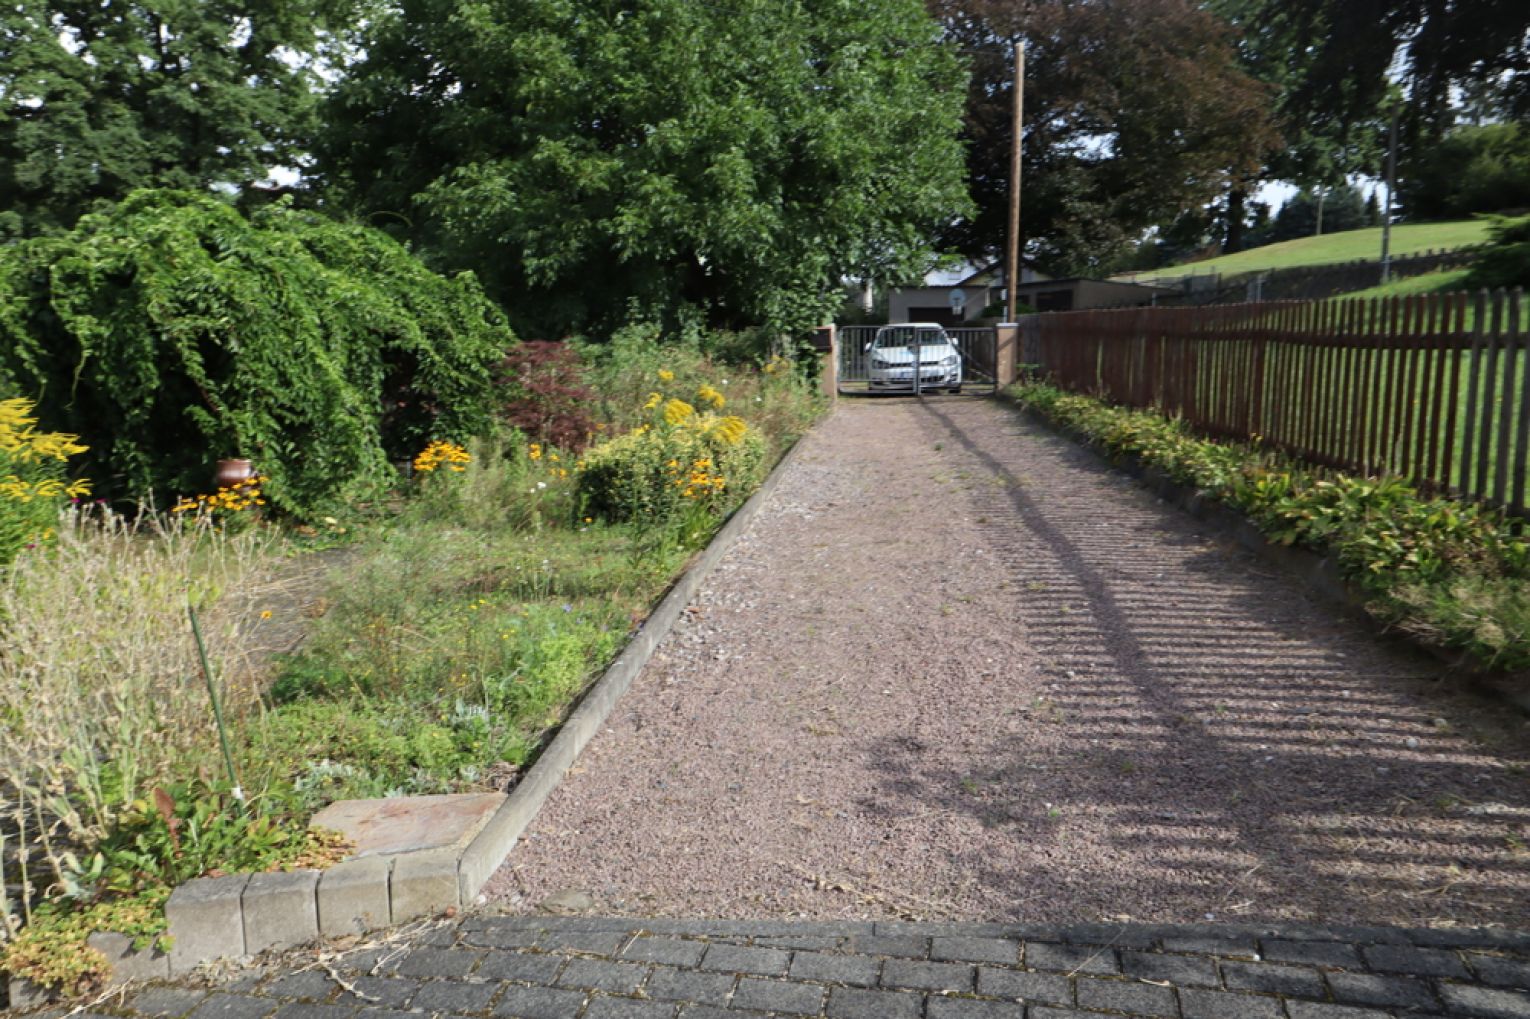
[102,695]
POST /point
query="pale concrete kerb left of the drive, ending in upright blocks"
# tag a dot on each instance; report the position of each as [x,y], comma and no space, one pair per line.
[244,914]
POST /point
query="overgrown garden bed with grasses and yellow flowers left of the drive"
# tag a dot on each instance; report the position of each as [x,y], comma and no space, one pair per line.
[446,646]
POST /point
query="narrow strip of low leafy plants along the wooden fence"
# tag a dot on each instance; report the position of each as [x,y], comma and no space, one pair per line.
[1450,576]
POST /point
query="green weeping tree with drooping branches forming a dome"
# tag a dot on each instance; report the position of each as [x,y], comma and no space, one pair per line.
[174,331]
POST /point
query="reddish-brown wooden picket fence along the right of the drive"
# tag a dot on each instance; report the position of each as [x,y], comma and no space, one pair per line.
[1431,388]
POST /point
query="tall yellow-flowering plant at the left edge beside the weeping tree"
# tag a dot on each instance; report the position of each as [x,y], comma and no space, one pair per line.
[33,481]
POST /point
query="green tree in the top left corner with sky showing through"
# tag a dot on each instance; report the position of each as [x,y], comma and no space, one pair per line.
[102,99]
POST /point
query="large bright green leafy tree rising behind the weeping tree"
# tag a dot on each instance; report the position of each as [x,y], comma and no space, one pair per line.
[677,160]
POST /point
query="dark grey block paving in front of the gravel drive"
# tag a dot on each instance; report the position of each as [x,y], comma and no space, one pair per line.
[585,968]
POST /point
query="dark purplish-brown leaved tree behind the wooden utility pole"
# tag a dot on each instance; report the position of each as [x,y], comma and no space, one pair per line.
[1136,111]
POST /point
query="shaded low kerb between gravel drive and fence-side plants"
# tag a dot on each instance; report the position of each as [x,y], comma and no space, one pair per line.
[1318,573]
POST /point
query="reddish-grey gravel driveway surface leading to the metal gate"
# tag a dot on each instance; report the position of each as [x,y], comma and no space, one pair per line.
[959,669]
